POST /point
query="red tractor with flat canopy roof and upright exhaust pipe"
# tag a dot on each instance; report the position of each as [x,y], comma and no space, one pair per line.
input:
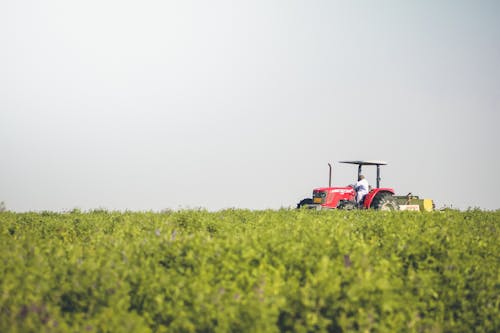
[381,198]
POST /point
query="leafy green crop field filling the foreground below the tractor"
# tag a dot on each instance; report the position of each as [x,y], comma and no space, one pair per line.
[250,271]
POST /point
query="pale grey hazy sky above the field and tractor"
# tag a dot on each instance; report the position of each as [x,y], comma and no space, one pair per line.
[147,105]
